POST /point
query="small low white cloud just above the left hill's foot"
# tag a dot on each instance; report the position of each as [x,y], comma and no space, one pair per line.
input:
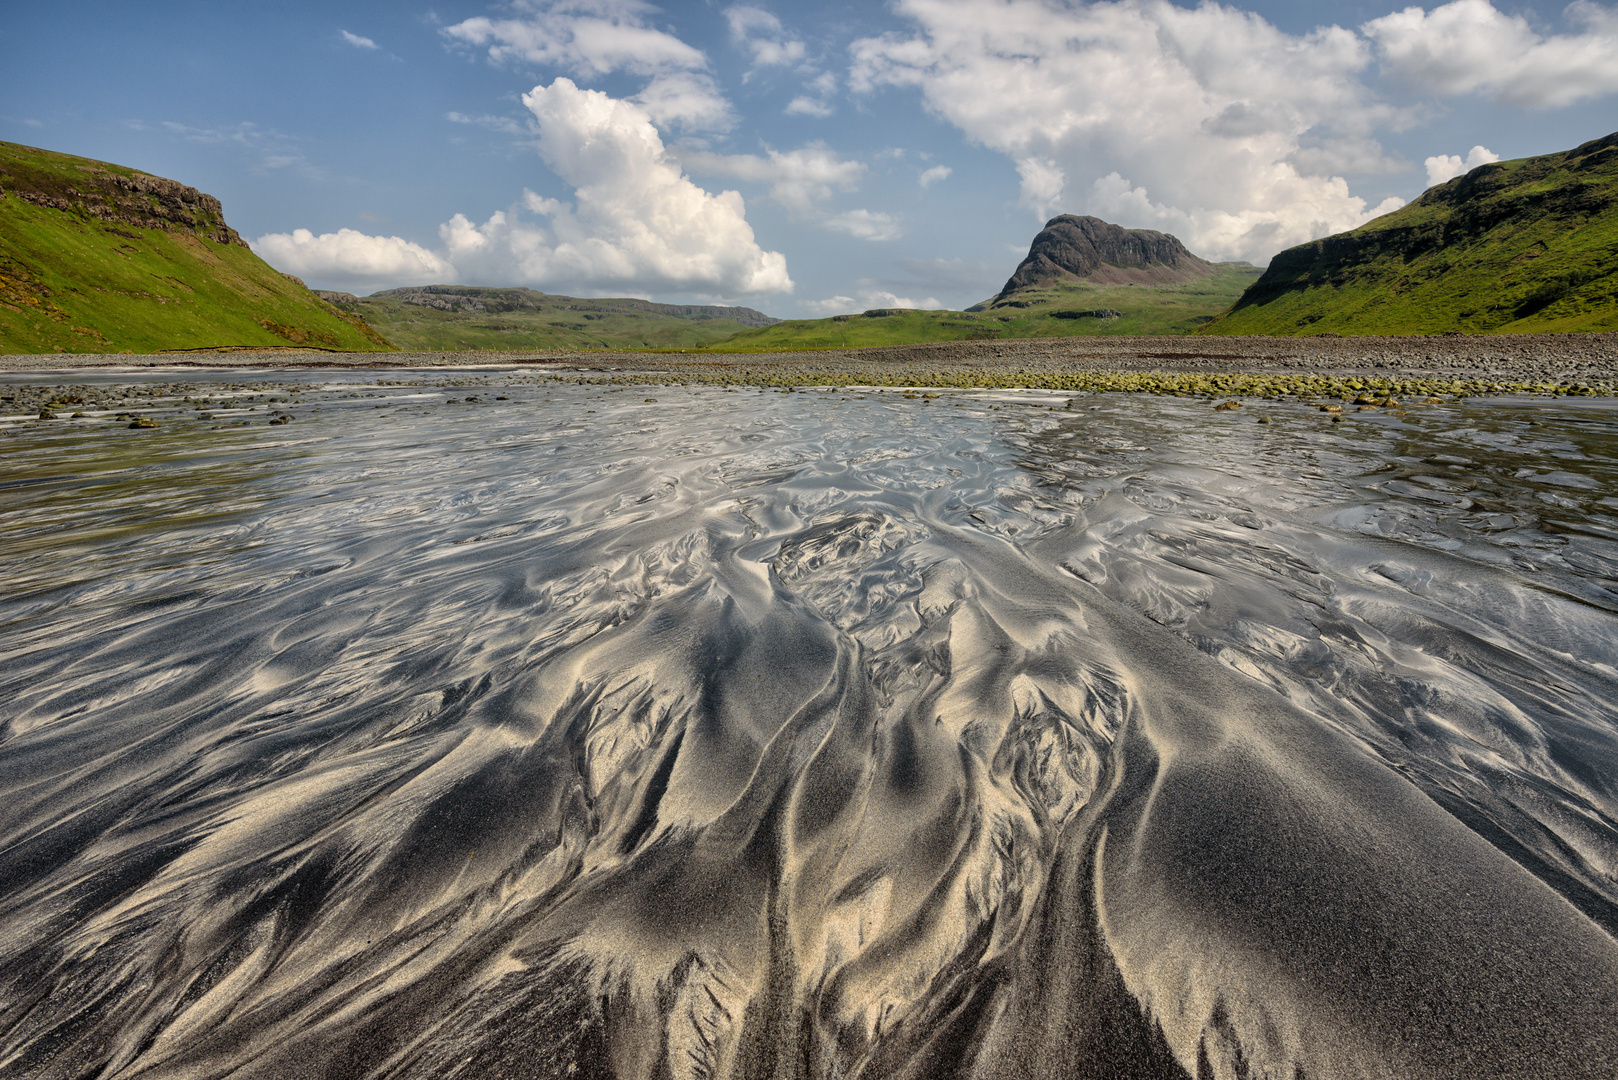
[354,260]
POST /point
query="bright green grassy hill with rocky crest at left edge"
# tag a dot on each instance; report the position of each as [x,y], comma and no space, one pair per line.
[98,258]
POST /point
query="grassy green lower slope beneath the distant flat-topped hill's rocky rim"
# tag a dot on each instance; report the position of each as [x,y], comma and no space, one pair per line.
[557,323]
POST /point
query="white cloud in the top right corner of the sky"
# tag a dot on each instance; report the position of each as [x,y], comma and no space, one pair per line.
[1473,48]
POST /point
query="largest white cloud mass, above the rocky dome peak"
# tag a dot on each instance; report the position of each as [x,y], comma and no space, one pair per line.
[1206,122]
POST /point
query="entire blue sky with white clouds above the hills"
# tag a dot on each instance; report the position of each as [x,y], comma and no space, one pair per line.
[798,159]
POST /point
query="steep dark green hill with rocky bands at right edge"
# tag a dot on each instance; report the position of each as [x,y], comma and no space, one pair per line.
[1518,247]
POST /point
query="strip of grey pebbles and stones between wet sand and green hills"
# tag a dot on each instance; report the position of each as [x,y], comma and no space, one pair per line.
[1509,359]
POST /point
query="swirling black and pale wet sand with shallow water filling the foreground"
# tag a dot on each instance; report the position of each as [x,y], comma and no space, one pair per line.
[820,734]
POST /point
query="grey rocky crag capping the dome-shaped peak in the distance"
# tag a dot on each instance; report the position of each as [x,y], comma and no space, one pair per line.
[1101,253]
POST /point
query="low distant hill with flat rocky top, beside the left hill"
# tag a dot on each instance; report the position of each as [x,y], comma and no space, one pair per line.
[470,318]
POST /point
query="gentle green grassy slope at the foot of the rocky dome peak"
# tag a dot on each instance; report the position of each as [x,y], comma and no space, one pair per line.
[1065,310]
